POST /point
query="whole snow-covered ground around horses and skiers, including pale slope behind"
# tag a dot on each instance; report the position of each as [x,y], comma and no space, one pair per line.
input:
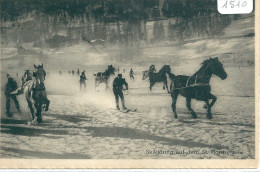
[85,125]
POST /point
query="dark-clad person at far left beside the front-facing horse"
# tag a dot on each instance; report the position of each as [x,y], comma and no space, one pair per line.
[10,87]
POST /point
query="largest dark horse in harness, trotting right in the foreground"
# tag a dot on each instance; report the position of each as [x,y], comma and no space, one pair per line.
[197,86]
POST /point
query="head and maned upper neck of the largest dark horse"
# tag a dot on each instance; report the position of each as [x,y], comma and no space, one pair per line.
[216,67]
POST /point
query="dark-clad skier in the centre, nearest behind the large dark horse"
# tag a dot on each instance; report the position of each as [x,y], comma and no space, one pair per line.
[118,90]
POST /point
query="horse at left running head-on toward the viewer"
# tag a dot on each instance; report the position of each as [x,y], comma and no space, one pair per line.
[35,93]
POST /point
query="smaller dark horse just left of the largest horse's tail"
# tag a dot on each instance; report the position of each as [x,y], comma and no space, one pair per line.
[159,77]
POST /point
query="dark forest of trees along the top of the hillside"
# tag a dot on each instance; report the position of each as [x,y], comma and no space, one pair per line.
[122,22]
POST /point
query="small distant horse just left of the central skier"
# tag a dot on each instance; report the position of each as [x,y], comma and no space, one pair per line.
[104,77]
